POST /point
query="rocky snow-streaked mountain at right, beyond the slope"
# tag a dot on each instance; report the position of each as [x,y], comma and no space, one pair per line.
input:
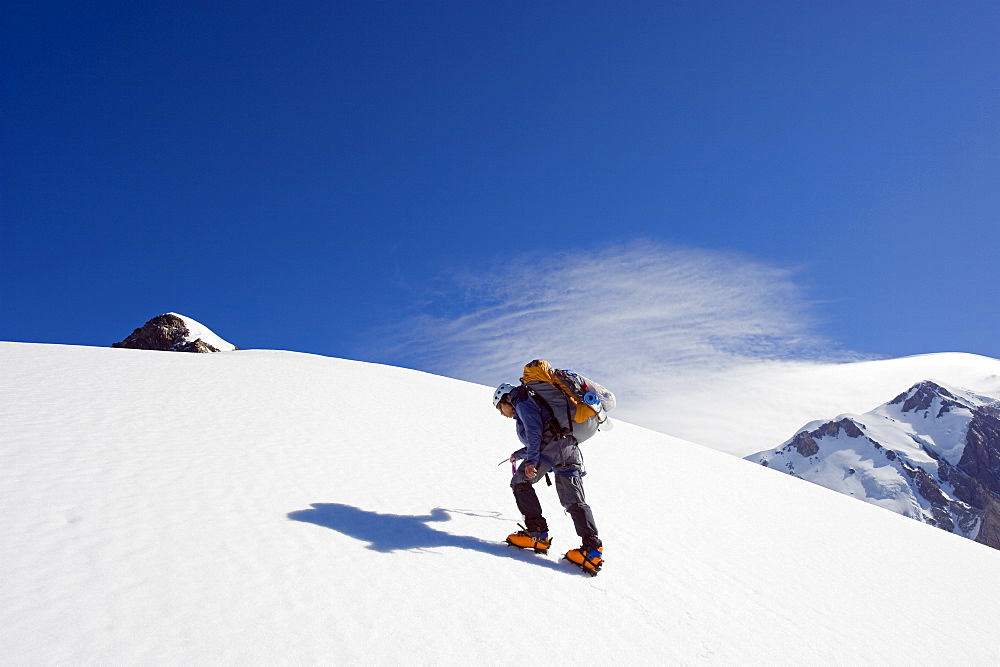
[932,454]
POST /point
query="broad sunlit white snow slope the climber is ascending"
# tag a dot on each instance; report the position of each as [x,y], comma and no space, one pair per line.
[259,507]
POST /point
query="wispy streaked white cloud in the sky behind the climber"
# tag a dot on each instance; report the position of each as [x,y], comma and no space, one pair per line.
[644,319]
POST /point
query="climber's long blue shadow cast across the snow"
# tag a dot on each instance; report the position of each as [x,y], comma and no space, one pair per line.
[397,532]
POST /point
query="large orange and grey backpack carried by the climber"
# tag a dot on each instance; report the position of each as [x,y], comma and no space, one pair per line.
[579,405]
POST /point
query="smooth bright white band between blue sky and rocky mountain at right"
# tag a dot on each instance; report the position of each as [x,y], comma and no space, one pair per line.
[754,406]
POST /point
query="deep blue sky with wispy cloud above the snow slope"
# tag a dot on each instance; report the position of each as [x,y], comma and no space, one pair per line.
[376,180]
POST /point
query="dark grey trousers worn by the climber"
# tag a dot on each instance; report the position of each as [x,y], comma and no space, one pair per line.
[569,488]
